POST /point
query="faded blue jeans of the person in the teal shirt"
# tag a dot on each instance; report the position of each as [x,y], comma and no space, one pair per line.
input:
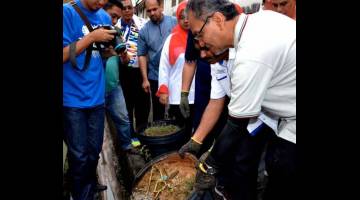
[116,107]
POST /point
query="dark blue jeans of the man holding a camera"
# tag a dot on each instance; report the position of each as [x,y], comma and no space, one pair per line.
[83,134]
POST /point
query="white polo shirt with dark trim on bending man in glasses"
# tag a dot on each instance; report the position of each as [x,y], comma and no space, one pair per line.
[263,78]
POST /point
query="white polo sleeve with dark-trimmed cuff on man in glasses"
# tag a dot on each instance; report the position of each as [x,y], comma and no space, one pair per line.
[249,83]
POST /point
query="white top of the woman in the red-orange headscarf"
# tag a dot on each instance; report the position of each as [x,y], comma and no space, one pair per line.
[171,76]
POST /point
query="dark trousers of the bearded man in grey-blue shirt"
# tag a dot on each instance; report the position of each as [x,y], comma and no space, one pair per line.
[158,108]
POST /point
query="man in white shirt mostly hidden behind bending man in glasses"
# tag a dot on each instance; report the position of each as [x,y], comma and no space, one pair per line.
[231,184]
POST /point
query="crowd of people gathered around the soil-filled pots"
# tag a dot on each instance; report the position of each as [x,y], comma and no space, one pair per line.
[227,76]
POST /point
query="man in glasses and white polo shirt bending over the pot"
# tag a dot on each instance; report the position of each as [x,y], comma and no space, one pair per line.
[262,79]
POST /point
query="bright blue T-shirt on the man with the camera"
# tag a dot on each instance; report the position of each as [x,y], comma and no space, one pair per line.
[83,89]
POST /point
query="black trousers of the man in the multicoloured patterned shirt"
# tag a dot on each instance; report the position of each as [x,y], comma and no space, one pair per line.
[137,101]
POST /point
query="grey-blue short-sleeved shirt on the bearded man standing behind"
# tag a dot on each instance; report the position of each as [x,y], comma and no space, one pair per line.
[151,40]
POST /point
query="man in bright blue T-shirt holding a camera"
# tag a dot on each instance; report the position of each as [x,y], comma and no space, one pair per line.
[84,94]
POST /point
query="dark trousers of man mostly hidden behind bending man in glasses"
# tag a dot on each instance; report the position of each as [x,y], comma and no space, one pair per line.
[237,156]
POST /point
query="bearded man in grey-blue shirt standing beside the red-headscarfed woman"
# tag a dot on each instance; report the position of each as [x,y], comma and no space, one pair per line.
[151,40]
